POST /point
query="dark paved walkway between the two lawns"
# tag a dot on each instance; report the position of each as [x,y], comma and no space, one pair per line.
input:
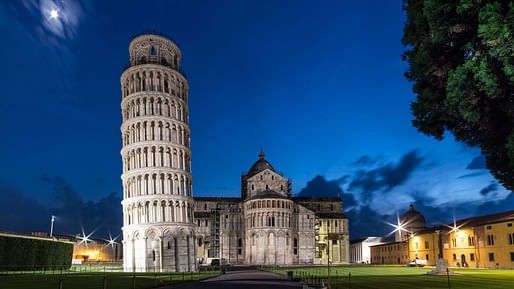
[246,280]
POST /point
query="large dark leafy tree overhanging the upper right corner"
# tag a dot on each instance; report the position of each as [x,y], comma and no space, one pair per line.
[461,60]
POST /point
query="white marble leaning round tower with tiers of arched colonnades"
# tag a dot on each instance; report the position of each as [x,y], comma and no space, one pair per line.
[158,229]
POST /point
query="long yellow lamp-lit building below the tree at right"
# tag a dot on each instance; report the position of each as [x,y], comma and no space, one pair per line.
[485,242]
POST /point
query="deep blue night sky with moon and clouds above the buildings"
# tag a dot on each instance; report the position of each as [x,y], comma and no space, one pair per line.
[319,87]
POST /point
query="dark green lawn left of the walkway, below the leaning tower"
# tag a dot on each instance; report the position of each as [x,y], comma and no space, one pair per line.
[94,280]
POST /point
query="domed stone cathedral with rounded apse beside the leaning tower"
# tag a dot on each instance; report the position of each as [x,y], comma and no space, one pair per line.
[267,226]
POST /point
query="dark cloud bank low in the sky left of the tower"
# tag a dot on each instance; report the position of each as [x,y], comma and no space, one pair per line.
[19,213]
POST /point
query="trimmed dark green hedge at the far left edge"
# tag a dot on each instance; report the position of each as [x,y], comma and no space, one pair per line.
[20,252]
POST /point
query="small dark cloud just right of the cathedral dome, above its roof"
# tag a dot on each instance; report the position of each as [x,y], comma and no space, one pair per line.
[320,187]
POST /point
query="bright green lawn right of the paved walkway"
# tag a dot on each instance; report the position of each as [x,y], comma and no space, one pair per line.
[384,277]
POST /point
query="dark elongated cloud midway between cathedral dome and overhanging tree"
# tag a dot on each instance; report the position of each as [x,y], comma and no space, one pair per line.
[385,177]
